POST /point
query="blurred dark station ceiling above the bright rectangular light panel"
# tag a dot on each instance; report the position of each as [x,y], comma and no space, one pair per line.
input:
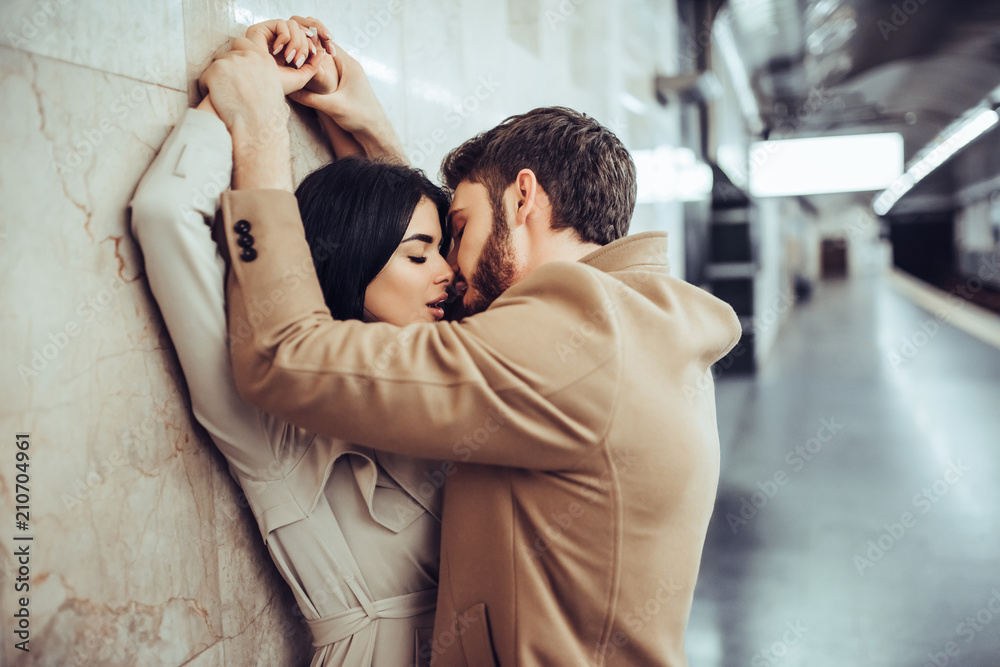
[827,67]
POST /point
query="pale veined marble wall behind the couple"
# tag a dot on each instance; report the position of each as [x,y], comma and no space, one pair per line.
[142,551]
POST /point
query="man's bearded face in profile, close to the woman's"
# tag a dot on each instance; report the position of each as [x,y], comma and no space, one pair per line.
[482,255]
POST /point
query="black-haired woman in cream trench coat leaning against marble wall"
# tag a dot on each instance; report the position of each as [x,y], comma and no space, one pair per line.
[355,533]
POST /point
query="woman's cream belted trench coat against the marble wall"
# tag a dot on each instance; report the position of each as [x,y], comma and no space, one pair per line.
[355,533]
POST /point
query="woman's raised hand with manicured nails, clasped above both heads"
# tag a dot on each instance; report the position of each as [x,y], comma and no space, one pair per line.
[298,50]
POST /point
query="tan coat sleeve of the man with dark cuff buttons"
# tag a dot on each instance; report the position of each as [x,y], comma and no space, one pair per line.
[514,385]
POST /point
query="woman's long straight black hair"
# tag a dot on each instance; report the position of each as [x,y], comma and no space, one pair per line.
[355,213]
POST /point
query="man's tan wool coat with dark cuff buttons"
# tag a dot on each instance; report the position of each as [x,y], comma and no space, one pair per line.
[579,409]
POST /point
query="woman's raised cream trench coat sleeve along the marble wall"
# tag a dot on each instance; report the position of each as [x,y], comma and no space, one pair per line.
[186,276]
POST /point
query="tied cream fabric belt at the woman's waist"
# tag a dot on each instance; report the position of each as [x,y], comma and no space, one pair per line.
[332,629]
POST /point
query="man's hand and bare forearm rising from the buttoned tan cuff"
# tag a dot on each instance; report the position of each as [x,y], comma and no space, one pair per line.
[245,88]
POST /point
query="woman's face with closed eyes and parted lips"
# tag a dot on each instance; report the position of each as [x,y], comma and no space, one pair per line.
[411,286]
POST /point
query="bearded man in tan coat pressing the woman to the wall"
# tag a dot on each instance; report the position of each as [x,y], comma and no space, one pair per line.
[574,408]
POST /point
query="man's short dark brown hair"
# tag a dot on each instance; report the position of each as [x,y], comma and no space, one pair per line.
[587,173]
